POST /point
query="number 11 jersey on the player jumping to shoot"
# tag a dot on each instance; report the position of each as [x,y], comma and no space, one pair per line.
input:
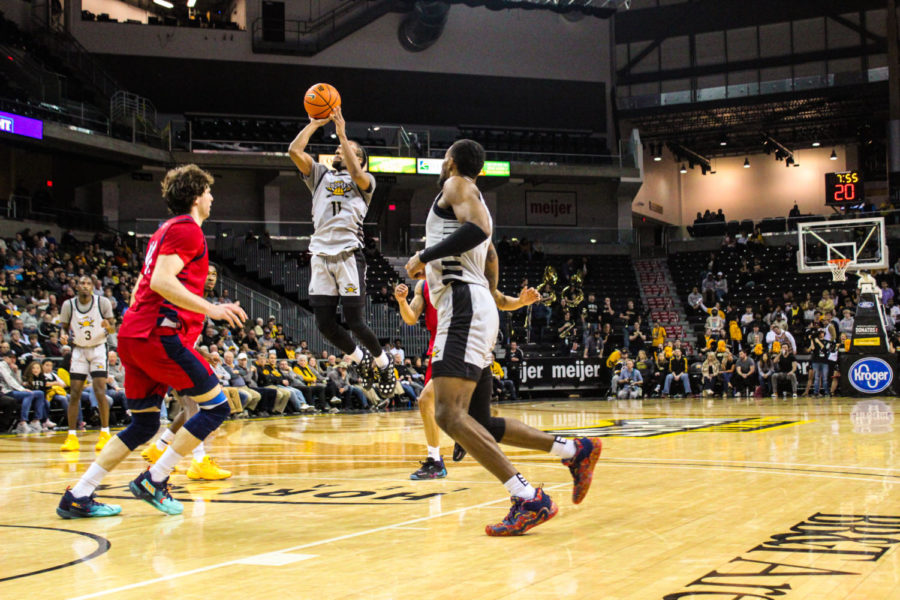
[339,208]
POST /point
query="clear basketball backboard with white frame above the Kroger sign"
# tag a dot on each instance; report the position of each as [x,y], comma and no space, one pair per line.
[862,241]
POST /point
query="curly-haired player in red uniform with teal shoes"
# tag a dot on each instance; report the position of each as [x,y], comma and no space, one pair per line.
[156,349]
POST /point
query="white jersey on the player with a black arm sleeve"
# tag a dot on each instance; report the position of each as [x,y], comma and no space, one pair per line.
[468,267]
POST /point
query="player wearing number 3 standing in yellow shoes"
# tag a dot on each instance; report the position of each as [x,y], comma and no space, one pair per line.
[90,319]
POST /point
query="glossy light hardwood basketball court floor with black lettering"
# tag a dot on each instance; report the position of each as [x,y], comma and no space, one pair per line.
[725,499]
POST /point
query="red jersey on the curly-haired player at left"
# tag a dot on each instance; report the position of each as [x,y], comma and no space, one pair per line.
[182,236]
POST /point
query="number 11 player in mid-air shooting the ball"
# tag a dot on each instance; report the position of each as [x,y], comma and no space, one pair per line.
[340,201]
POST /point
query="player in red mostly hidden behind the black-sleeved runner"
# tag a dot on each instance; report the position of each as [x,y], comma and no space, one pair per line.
[433,467]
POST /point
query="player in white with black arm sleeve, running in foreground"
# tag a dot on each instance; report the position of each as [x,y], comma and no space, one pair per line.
[459,262]
